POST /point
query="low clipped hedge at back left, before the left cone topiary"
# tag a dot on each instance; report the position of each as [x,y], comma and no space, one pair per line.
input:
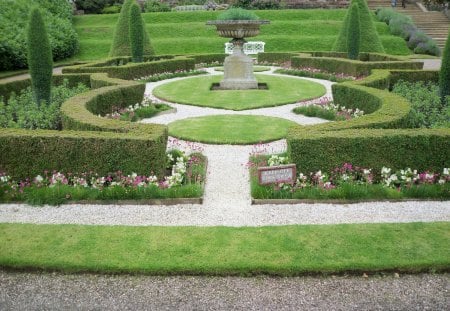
[129,71]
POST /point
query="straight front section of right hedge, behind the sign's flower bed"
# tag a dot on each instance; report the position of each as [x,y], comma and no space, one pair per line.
[425,149]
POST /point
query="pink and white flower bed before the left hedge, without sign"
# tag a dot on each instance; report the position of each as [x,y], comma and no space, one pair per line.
[185,180]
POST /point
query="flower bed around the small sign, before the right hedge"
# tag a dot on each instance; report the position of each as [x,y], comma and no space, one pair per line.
[352,183]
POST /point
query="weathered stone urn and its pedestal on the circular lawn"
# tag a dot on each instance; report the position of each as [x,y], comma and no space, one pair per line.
[238,67]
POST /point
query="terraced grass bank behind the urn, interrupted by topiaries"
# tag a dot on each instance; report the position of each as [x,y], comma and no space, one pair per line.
[186,32]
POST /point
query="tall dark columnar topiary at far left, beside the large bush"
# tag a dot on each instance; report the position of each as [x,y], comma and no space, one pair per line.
[40,61]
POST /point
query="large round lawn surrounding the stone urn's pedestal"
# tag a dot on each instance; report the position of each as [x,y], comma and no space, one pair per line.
[196,91]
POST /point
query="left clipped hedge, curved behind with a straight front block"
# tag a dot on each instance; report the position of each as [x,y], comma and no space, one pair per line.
[87,142]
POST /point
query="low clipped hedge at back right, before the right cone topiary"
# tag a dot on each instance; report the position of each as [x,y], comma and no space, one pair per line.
[350,67]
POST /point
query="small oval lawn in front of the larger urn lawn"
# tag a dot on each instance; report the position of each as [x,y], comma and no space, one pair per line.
[230,129]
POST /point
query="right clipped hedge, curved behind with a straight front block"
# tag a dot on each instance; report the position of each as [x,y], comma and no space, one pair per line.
[376,139]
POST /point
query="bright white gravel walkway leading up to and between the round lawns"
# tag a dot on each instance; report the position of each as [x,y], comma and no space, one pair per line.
[227,199]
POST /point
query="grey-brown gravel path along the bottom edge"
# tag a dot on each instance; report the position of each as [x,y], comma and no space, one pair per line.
[35,291]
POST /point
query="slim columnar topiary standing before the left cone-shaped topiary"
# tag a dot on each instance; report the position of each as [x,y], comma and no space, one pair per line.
[136,34]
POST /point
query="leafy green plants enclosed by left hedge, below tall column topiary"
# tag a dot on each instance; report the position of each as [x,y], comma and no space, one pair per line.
[22,111]
